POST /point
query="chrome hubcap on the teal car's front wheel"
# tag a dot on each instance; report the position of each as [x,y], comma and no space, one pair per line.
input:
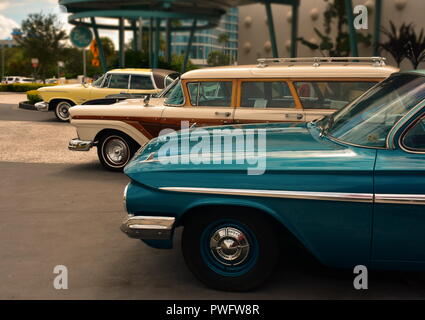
[229,246]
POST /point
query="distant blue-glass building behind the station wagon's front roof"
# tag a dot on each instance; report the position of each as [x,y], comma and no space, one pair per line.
[207,41]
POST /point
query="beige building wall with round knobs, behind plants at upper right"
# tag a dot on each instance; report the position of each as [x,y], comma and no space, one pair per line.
[253,21]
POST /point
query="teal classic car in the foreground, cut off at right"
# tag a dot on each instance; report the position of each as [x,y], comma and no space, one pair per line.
[349,188]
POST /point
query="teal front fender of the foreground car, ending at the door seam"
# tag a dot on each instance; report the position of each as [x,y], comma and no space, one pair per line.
[338,233]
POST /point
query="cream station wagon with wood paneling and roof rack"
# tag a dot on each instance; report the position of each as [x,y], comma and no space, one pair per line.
[275,90]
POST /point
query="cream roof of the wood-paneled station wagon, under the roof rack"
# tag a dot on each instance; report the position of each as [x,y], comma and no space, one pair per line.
[347,70]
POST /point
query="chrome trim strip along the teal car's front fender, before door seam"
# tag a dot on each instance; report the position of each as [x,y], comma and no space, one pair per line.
[308,195]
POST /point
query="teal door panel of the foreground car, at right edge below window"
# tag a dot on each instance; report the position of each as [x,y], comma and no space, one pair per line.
[399,229]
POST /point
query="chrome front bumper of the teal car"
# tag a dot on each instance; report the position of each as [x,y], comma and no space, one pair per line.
[148,228]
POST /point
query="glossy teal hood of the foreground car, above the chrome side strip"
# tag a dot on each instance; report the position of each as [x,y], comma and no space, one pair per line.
[288,147]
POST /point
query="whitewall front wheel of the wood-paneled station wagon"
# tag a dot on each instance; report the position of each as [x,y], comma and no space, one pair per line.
[115,150]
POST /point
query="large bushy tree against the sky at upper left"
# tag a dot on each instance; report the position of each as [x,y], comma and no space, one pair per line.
[43,38]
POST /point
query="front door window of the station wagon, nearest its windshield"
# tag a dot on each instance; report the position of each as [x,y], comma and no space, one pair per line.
[210,93]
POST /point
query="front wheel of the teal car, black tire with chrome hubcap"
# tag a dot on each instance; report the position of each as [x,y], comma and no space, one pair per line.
[228,250]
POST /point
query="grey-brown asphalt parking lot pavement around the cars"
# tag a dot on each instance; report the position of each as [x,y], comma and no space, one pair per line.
[62,208]
